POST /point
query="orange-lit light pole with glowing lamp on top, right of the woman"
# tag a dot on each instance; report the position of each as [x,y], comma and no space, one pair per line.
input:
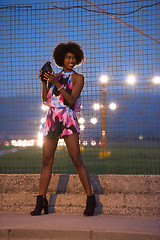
[103,152]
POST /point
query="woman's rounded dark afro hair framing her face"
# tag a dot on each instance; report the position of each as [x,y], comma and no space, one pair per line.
[62,49]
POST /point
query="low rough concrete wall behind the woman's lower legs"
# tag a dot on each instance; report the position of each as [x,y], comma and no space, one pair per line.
[115,194]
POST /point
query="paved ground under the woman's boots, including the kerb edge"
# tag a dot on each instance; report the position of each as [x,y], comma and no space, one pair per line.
[71,227]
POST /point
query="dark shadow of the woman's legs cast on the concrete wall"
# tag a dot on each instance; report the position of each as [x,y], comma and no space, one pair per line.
[62,187]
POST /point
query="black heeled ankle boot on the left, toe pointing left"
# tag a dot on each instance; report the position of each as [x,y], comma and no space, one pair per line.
[42,203]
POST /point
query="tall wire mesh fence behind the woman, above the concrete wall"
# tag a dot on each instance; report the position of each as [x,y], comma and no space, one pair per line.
[120,117]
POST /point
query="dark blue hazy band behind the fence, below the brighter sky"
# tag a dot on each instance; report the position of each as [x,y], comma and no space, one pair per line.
[20,116]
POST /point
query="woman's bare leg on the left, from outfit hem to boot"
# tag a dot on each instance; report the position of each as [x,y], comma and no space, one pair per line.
[49,148]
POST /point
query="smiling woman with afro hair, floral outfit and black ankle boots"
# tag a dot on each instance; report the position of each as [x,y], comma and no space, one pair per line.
[62,95]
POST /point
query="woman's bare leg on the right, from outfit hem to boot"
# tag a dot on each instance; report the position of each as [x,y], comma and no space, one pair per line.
[72,142]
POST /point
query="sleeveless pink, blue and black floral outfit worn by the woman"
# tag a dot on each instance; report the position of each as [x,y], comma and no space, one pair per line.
[61,119]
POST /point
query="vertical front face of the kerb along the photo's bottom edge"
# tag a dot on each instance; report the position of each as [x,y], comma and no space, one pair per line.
[25,234]
